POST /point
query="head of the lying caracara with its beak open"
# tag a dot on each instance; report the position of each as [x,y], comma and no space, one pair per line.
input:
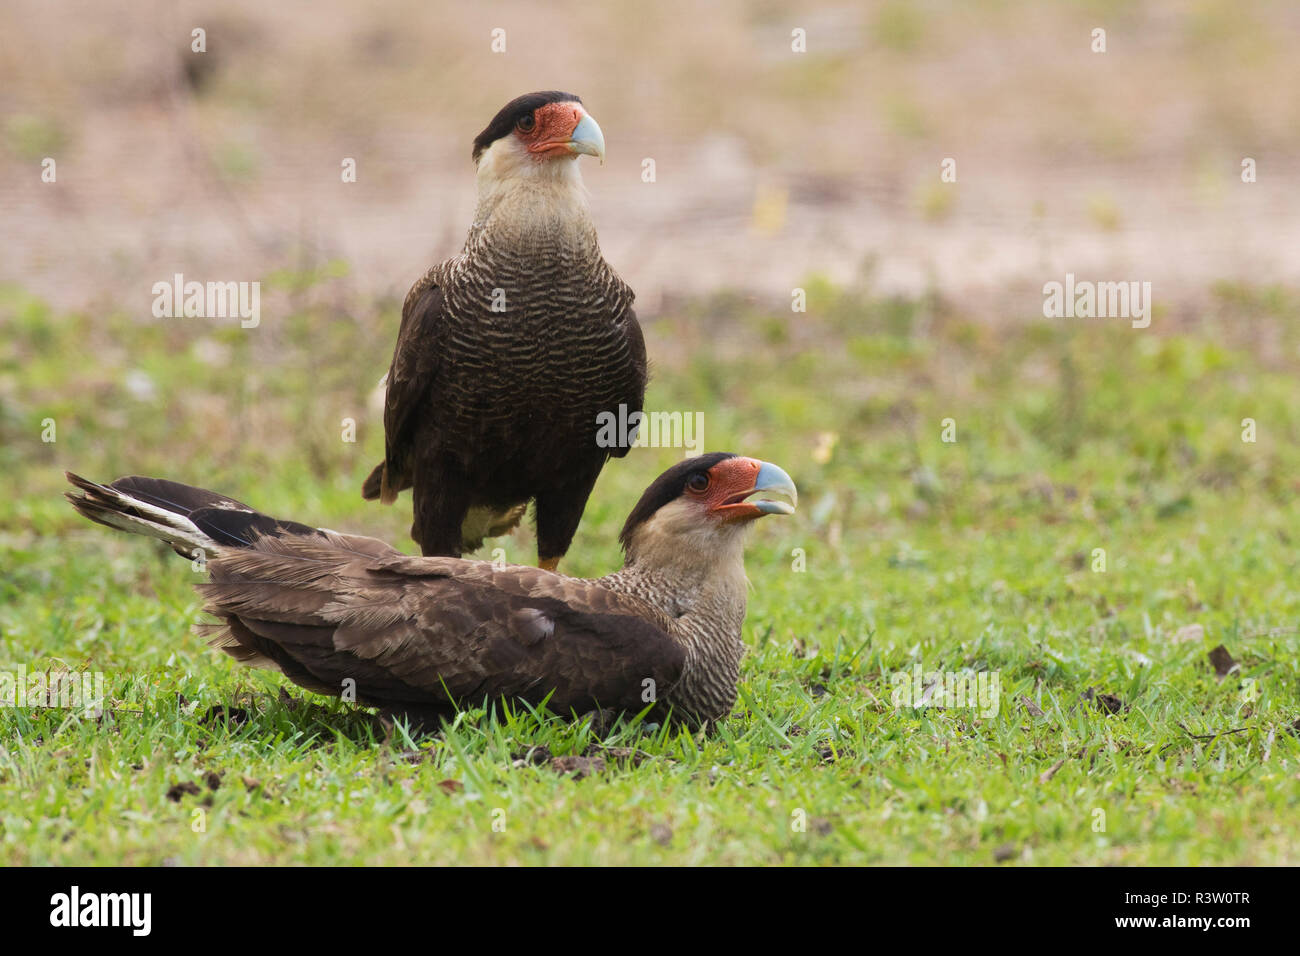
[703,507]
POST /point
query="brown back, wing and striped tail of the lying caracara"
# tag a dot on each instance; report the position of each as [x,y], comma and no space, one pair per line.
[431,633]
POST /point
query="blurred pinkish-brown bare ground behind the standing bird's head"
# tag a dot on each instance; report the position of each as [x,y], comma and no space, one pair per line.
[772,166]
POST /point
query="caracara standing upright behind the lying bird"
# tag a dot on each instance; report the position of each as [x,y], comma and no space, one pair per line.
[512,351]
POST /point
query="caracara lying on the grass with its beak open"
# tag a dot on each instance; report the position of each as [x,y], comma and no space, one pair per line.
[427,637]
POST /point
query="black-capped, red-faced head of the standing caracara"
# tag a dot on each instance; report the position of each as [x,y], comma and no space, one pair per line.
[535,132]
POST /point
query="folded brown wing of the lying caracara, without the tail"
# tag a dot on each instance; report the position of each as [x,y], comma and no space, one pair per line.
[445,637]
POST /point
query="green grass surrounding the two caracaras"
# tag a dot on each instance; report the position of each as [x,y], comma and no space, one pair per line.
[977,555]
